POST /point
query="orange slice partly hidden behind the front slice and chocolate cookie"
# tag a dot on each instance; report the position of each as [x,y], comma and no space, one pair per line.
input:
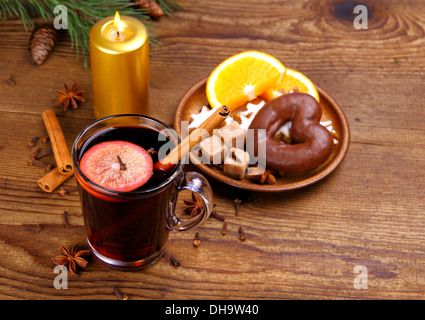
[292,81]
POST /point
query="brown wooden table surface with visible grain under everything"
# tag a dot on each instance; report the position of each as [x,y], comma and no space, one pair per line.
[304,244]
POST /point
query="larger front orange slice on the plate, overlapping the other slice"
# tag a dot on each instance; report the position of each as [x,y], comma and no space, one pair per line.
[242,78]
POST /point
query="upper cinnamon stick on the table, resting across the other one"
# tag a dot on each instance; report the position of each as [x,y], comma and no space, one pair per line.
[60,148]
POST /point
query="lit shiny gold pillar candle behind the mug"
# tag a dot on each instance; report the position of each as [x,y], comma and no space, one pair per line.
[119,57]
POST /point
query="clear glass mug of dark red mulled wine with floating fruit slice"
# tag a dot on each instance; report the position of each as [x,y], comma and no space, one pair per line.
[129,207]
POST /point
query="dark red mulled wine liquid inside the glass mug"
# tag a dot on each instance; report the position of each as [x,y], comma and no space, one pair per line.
[129,230]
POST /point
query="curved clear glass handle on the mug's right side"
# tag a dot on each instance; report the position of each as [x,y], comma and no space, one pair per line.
[197,183]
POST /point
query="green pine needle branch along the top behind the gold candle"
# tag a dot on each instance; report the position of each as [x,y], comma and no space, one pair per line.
[82,15]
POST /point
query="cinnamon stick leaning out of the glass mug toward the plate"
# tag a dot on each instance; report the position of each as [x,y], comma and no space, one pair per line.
[196,136]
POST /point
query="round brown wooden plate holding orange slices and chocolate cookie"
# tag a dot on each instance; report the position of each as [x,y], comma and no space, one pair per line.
[195,98]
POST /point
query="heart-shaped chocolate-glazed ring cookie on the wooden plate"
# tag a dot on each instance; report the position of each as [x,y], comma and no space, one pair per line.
[312,141]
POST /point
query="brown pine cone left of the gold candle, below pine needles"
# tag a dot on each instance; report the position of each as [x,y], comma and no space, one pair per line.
[42,42]
